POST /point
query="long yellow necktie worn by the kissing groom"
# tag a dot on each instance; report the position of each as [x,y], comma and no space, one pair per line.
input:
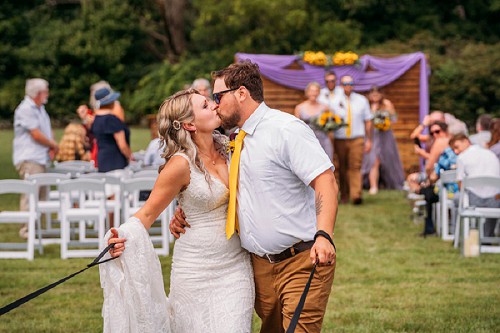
[232,218]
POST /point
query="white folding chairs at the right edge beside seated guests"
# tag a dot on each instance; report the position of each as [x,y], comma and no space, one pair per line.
[453,223]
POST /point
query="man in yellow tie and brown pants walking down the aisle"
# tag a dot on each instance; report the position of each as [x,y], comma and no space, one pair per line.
[351,141]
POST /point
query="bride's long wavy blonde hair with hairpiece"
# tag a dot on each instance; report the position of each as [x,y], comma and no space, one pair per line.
[174,111]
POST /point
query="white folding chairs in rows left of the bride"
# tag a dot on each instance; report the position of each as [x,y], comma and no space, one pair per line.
[82,206]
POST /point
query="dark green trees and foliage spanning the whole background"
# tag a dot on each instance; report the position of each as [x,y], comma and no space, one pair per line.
[127,44]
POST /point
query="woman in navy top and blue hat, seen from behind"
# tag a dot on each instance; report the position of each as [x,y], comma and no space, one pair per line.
[111,133]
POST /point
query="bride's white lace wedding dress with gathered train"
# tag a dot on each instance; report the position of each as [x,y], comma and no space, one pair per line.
[211,282]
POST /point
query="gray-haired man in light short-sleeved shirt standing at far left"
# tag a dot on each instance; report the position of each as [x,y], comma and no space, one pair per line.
[33,137]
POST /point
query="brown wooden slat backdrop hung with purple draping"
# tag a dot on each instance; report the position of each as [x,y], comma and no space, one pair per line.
[404,94]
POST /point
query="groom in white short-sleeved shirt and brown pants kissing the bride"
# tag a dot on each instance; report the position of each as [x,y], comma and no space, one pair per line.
[287,202]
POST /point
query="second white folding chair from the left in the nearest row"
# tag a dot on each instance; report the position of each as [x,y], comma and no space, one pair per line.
[89,209]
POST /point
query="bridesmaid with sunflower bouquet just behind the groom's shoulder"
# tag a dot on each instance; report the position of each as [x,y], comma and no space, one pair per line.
[309,111]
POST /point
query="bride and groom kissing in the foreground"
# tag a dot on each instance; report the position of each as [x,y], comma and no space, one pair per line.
[248,235]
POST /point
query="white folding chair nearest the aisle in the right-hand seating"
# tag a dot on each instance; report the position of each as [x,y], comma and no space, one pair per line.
[446,211]
